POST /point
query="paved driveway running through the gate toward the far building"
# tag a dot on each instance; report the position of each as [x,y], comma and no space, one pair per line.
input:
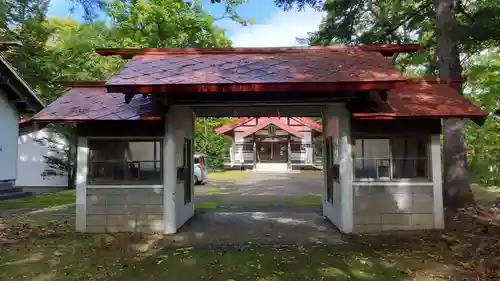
[263,208]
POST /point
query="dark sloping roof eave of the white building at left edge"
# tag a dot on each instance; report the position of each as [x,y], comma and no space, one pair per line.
[17,89]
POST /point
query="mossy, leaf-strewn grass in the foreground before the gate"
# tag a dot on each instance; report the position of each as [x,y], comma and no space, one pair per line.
[69,256]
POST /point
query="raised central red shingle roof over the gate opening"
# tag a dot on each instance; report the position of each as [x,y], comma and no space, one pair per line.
[304,69]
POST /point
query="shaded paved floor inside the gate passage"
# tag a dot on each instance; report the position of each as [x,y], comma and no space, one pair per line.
[261,228]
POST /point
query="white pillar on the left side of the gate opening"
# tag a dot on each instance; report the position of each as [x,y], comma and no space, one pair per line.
[169,175]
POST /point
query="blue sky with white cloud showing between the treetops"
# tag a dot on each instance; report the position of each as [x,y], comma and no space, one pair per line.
[272,28]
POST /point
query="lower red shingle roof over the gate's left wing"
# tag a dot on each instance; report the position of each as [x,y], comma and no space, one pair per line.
[92,102]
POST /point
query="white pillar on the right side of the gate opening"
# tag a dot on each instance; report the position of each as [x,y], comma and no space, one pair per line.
[346,170]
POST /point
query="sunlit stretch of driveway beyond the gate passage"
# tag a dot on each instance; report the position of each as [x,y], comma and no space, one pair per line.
[264,192]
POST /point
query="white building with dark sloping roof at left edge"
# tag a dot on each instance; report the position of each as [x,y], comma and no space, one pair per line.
[21,160]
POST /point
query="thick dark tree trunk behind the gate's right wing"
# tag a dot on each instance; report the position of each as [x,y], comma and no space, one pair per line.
[456,188]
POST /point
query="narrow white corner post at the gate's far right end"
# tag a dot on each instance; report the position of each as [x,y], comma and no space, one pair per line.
[437,181]
